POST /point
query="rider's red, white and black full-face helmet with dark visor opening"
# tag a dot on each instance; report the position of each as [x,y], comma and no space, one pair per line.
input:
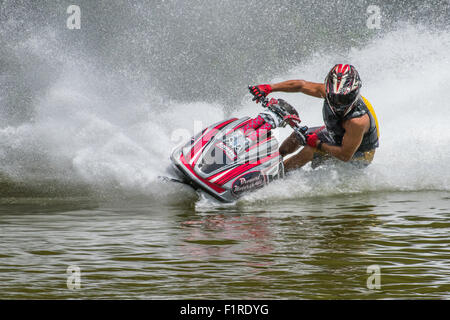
[342,86]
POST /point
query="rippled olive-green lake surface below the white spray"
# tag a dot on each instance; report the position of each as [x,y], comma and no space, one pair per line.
[313,248]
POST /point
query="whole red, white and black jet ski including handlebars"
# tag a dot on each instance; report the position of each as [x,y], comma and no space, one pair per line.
[227,160]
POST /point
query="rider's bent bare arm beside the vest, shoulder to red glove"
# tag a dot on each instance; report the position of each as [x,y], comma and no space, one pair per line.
[354,133]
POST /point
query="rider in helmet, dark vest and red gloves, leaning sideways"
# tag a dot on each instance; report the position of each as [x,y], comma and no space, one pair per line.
[350,133]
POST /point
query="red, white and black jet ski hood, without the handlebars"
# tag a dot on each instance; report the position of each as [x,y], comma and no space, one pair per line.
[220,161]
